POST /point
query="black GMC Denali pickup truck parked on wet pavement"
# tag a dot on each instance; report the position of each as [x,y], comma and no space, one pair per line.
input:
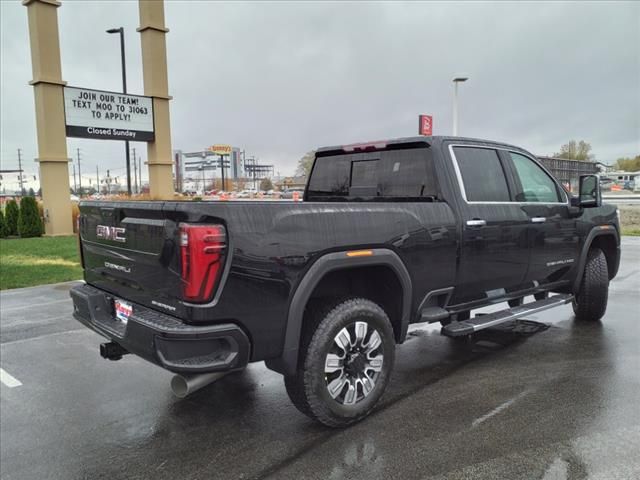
[390,233]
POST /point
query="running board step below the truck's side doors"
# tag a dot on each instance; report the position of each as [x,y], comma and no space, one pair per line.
[479,322]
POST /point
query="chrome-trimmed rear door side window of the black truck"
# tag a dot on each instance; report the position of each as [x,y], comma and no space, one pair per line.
[482,174]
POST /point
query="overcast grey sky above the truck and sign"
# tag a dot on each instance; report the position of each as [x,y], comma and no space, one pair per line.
[279,79]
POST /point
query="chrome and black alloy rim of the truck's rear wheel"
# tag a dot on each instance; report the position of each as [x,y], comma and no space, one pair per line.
[353,363]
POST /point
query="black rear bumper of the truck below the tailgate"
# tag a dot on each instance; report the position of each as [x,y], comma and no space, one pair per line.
[160,338]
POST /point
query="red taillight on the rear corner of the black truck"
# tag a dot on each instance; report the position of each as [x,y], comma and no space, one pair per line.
[201,255]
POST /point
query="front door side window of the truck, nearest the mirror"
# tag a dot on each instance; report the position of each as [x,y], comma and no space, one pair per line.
[535,184]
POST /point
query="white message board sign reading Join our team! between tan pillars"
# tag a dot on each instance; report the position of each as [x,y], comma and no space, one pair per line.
[108,115]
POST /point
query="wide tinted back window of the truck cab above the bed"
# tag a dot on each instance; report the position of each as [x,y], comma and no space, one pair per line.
[403,174]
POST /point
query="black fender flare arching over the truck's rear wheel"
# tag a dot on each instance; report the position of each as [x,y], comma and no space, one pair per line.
[287,363]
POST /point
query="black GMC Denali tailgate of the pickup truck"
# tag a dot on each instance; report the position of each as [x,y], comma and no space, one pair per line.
[130,249]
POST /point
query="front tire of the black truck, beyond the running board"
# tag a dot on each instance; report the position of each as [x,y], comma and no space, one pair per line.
[590,303]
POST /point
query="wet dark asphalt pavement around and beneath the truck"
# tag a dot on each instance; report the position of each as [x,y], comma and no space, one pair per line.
[548,399]
